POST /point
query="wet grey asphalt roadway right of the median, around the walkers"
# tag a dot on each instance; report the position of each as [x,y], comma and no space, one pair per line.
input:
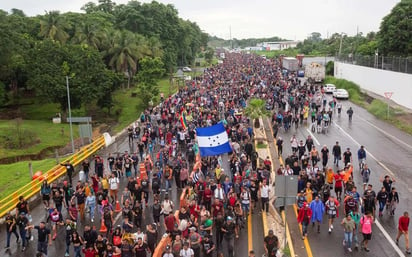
[389,152]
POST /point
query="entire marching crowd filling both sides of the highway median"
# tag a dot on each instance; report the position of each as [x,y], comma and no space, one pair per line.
[163,156]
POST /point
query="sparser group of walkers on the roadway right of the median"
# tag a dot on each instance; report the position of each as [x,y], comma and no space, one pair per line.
[318,177]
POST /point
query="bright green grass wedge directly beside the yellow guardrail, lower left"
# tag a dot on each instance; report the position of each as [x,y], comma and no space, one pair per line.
[13,176]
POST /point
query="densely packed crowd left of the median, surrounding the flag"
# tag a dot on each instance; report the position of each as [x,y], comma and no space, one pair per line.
[219,202]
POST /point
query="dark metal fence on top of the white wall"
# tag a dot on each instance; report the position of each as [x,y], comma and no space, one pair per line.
[392,63]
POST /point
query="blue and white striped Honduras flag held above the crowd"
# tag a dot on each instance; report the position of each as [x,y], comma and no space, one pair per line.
[213,140]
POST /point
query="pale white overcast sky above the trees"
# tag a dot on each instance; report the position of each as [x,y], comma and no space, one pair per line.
[289,19]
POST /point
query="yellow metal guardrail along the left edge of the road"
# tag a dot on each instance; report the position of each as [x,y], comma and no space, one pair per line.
[9,203]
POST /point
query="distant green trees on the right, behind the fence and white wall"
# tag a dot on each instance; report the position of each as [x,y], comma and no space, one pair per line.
[394,38]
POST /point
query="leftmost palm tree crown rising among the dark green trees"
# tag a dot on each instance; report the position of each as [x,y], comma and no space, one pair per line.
[53,26]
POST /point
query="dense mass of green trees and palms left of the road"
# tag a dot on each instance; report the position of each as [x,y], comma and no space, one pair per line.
[99,50]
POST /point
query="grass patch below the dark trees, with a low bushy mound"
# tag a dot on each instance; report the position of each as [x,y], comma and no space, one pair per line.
[45,133]
